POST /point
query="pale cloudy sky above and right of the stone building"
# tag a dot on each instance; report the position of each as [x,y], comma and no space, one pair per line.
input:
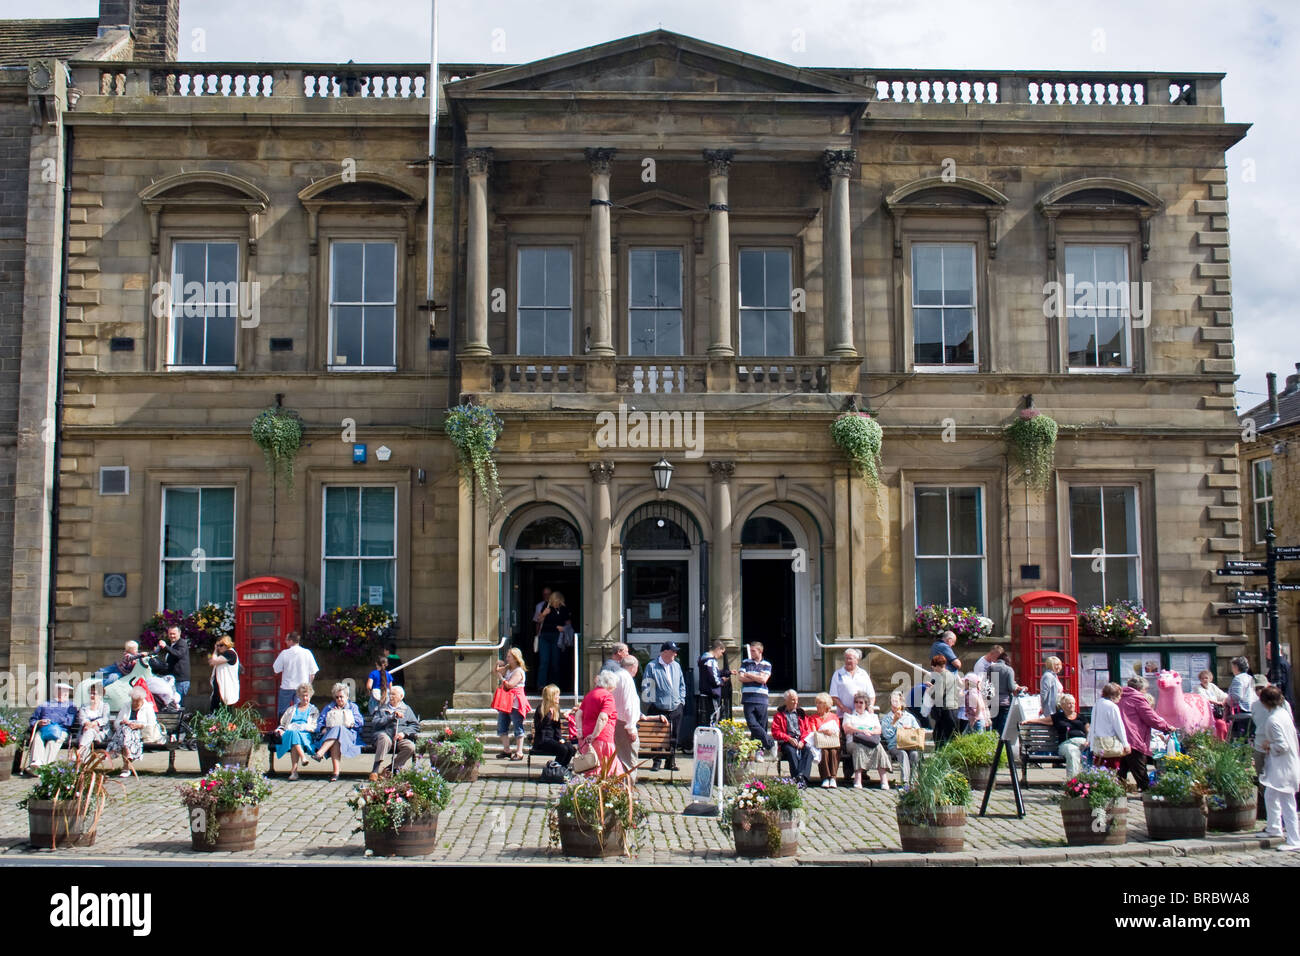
[1254,44]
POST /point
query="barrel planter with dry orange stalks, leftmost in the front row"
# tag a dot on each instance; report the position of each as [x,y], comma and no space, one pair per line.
[66,806]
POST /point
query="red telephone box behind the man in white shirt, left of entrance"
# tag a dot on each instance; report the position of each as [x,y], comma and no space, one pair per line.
[266,611]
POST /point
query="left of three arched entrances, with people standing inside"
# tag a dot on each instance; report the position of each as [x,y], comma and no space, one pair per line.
[545,552]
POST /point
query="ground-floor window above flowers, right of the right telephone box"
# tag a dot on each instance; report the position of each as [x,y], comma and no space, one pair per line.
[1106,555]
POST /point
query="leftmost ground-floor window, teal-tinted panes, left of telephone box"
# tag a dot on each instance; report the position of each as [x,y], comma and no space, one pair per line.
[198,547]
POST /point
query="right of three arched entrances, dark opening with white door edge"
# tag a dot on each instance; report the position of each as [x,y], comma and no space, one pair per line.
[777,573]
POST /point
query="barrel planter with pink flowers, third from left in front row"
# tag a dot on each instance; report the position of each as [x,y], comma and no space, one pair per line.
[400,815]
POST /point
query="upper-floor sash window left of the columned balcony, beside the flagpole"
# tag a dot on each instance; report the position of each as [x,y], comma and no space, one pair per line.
[363,305]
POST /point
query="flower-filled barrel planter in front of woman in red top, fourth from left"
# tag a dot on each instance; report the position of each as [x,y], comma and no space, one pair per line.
[596,816]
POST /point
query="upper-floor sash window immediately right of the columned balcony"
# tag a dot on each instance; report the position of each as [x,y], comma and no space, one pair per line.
[943,304]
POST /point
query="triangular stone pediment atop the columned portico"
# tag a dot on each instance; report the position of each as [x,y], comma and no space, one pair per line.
[657,63]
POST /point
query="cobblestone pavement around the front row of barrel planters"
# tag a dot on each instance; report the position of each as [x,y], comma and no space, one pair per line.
[502,820]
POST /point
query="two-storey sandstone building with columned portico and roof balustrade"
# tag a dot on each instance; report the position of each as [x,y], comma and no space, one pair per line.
[653,249]
